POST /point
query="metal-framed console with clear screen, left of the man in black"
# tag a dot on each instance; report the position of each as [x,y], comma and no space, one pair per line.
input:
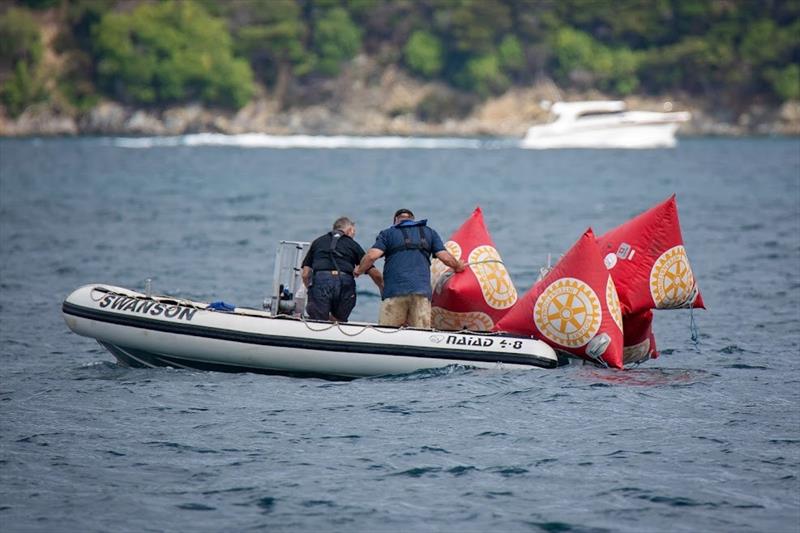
[288,296]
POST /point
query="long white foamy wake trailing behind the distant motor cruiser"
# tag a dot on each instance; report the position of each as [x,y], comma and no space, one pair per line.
[260,140]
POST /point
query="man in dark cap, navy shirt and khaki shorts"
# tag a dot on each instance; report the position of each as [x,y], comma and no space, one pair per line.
[407,247]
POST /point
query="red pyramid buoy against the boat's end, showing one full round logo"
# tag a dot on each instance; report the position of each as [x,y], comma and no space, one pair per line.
[574,308]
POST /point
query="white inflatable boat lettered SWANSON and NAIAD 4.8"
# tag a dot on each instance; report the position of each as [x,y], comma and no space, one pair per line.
[142,330]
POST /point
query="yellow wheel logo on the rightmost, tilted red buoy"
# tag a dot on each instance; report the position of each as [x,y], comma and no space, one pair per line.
[671,279]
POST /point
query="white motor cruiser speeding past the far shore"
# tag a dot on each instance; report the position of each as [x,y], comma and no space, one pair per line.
[604,124]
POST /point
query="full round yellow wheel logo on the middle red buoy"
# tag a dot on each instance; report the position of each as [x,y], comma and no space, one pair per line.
[568,312]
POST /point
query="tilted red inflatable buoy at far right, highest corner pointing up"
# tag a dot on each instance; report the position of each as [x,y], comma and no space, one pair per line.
[648,262]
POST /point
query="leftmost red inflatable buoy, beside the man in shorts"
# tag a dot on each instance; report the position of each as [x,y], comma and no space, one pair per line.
[481,295]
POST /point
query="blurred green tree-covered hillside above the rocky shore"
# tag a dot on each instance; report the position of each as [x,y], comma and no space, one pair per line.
[156,53]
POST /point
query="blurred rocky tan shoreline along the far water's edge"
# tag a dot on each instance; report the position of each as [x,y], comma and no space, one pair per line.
[364,102]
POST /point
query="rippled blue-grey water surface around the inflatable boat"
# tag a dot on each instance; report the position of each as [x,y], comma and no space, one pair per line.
[706,438]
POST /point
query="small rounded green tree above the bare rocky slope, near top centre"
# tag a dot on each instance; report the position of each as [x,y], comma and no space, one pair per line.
[336,40]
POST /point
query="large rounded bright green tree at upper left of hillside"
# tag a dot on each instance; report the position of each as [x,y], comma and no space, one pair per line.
[169,52]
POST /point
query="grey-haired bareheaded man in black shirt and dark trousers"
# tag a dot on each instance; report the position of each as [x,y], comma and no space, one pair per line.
[328,273]
